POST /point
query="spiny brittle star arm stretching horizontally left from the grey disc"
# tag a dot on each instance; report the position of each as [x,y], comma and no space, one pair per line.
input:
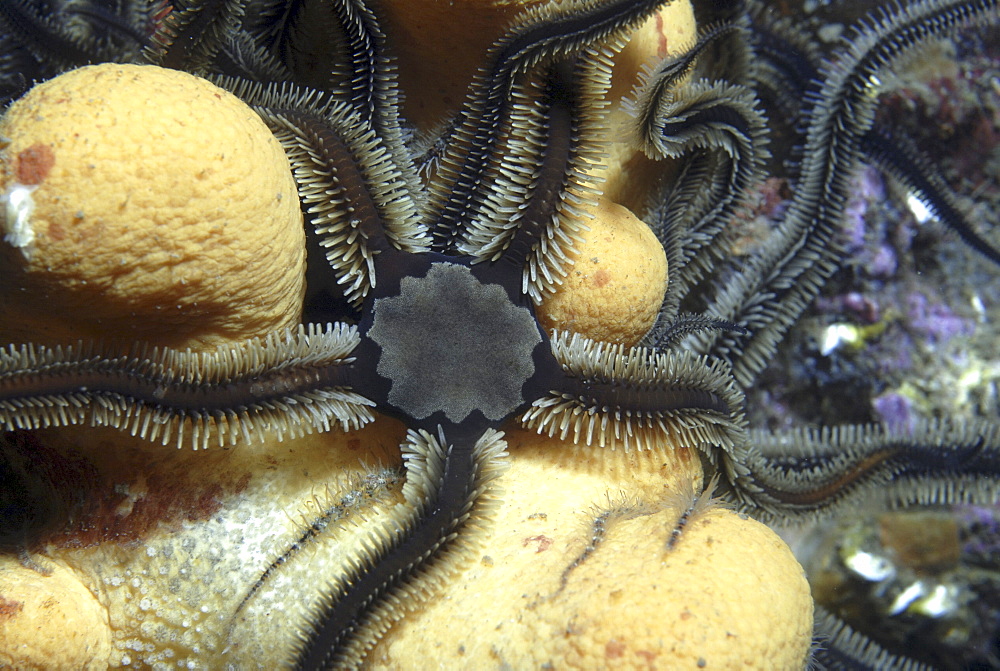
[290,384]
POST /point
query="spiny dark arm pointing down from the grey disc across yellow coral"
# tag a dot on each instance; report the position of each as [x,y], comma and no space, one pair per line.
[447,502]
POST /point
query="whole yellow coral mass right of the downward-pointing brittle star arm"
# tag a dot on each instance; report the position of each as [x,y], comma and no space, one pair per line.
[729,592]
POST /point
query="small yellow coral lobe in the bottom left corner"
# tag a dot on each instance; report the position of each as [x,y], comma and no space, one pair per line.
[50,621]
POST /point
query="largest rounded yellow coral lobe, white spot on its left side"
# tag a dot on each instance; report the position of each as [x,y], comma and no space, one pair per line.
[145,204]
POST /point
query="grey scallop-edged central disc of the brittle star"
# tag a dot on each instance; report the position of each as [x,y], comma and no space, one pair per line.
[453,344]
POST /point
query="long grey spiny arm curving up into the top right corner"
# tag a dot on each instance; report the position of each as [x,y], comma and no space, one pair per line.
[784,279]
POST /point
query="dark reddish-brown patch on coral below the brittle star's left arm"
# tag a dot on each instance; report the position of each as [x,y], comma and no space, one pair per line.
[120,496]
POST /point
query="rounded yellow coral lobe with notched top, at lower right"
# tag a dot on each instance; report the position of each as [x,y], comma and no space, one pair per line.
[730,593]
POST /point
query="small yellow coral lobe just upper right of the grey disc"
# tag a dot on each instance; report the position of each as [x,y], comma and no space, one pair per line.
[615,287]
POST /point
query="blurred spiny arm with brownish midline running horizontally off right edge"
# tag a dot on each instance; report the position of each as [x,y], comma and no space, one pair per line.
[815,472]
